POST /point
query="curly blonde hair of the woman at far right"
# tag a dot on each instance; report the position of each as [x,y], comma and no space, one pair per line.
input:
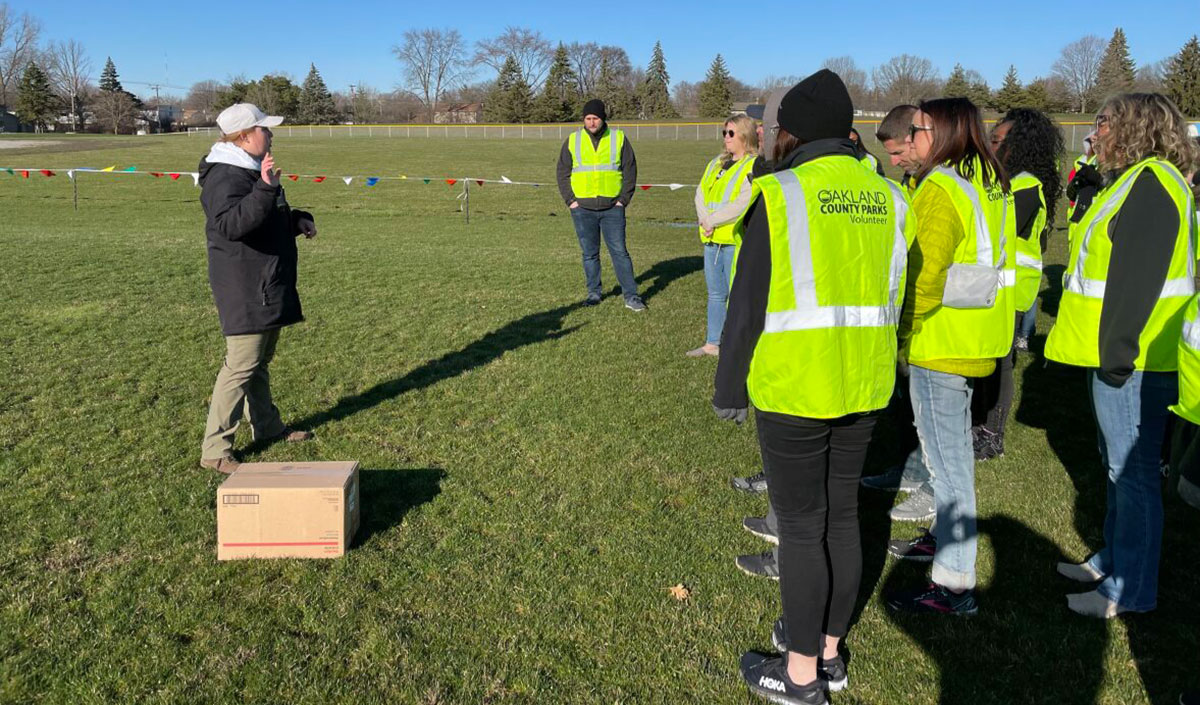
[1145,125]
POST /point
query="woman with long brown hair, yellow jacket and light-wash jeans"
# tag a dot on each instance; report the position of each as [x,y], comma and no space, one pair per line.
[959,316]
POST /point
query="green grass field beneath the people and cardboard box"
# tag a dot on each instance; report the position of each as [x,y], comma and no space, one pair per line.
[537,475]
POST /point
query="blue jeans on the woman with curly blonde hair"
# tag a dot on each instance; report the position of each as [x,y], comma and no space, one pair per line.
[1132,423]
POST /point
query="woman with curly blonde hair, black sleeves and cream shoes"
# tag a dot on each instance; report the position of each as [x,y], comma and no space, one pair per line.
[1129,280]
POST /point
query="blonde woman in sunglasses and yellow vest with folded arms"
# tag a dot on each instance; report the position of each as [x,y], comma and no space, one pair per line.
[722,197]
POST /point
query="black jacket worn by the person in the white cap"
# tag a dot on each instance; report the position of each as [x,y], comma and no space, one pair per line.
[253,252]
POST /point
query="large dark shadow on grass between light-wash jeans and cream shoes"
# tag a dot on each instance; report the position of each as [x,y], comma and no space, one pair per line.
[1024,646]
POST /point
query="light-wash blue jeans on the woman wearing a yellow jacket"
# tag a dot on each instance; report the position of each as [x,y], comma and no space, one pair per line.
[941,405]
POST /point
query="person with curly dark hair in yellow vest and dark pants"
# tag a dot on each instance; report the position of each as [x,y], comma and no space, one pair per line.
[1029,146]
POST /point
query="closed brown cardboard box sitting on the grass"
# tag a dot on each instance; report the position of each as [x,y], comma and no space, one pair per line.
[289,510]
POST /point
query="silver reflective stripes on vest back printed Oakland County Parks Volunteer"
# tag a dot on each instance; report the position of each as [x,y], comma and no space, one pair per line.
[808,314]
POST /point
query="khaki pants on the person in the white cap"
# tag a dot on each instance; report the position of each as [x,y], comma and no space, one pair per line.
[244,385]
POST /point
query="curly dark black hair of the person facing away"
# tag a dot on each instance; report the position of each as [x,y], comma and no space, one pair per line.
[1035,144]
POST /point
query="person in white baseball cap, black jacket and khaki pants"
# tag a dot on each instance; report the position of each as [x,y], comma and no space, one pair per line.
[253,269]
